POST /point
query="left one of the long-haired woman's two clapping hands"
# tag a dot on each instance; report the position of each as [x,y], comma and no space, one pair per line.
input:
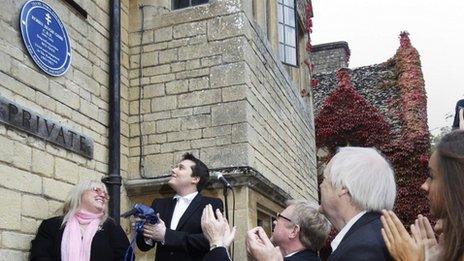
[400,244]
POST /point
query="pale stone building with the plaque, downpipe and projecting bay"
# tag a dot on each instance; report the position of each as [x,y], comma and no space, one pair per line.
[219,79]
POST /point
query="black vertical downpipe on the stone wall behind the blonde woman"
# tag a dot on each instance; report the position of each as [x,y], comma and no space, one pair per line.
[113,180]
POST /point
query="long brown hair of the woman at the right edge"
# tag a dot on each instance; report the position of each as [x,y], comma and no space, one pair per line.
[451,165]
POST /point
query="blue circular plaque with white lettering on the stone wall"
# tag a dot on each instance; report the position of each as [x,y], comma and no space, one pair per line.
[45,37]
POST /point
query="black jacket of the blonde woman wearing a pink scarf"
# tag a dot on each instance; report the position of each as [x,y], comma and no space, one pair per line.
[109,243]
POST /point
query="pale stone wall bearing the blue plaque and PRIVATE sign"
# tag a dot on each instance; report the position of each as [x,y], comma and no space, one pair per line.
[35,176]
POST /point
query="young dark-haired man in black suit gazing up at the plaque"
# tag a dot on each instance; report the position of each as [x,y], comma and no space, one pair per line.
[178,235]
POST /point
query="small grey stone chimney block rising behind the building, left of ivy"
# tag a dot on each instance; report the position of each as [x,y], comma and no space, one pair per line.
[329,57]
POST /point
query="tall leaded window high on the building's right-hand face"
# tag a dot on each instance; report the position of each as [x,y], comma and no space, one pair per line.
[287,31]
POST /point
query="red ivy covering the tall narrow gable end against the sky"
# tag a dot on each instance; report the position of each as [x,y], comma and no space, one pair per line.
[410,153]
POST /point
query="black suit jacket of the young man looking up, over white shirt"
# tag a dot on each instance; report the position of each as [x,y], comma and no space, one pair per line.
[187,242]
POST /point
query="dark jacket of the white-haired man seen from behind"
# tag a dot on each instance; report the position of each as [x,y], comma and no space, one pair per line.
[363,241]
